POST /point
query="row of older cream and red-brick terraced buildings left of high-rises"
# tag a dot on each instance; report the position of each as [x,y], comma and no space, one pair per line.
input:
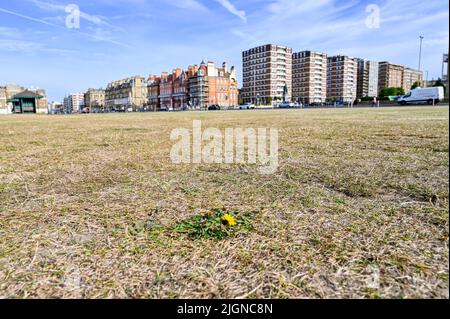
[195,88]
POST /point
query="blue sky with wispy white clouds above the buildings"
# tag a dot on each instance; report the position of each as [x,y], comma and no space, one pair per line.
[119,38]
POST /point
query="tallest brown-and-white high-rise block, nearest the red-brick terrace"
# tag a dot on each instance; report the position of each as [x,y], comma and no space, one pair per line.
[267,77]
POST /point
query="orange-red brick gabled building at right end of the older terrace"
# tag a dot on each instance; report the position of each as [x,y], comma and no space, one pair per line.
[213,86]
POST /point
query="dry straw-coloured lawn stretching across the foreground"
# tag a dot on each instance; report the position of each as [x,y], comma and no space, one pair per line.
[92,207]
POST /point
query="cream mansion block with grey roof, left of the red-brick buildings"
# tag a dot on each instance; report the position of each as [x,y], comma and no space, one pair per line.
[129,94]
